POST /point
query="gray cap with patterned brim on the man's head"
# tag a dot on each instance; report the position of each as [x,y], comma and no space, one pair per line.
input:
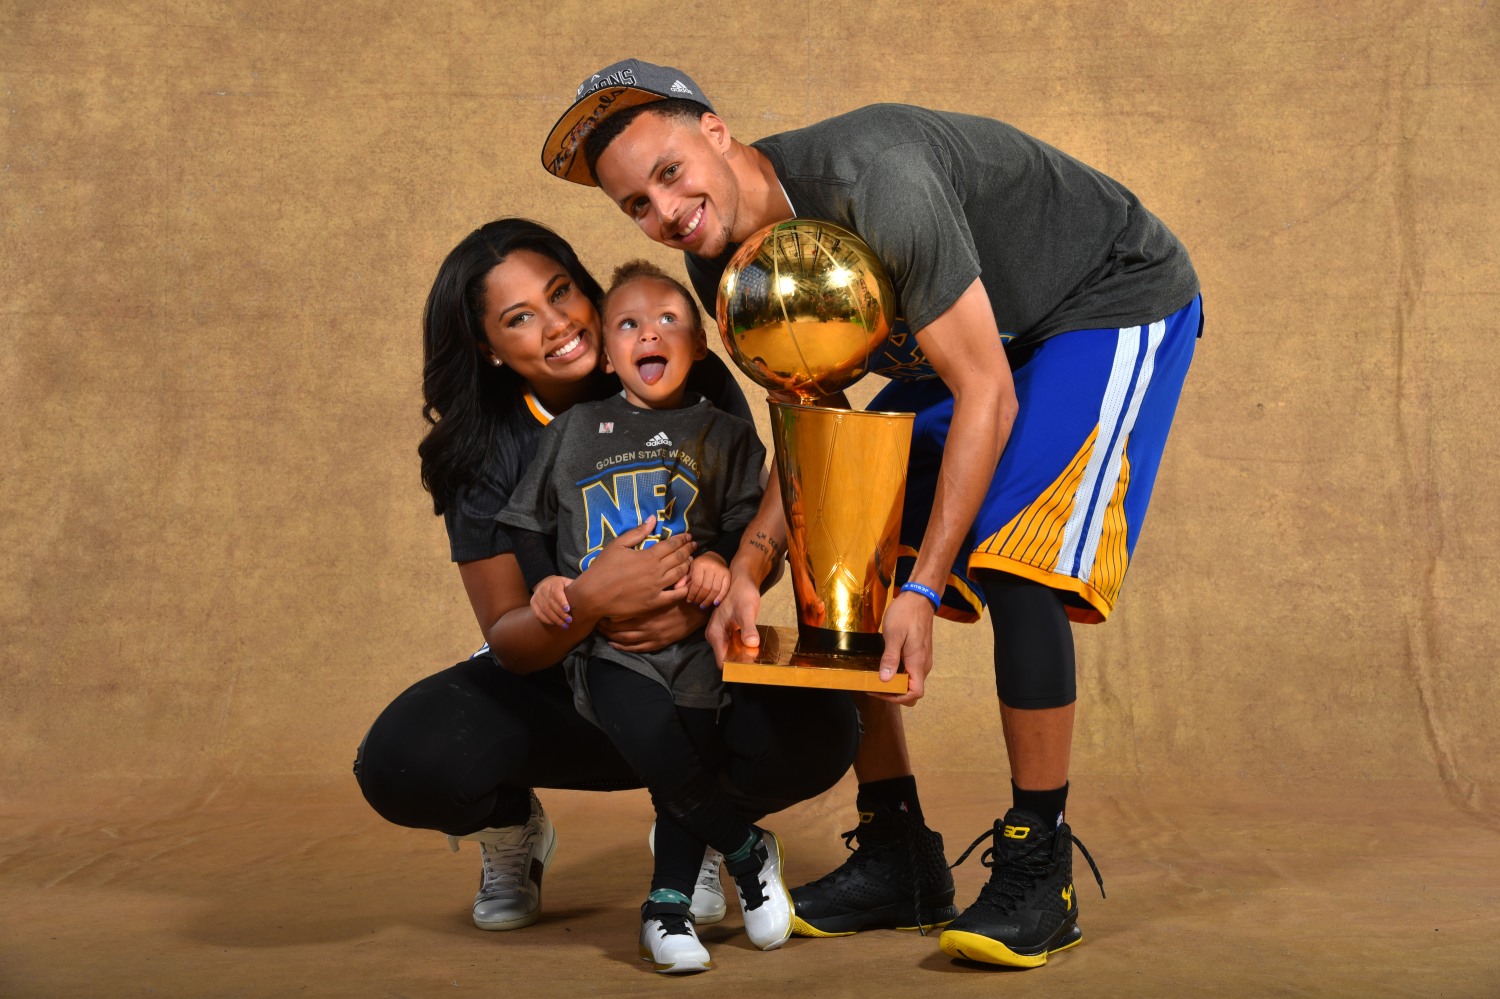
[617,88]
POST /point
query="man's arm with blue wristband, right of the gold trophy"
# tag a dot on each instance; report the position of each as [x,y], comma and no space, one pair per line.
[964,347]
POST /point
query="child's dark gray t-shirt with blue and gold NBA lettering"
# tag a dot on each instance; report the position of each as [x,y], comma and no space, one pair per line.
[607,467]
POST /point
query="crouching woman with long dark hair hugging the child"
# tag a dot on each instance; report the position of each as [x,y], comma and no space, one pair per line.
[512,338]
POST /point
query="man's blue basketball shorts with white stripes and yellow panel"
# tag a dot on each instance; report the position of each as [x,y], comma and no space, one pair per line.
[1073,485]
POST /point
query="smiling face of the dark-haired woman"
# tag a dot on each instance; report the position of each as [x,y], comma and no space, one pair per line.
[539,323]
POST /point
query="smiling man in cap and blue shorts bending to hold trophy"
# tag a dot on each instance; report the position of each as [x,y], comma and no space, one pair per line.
[1048,325]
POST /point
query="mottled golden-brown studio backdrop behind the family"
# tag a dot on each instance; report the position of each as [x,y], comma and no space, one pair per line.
[220,221]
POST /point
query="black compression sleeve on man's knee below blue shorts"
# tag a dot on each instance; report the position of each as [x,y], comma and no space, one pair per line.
[1034,664]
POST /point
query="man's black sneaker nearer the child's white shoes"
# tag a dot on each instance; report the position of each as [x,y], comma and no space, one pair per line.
[896,880]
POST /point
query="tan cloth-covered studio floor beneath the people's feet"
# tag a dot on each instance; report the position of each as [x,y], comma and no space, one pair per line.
[301,890]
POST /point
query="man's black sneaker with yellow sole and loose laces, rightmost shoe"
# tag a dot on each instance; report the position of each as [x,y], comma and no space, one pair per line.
[1027,911]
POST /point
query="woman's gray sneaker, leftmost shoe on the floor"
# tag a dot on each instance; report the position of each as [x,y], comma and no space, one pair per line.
[514,860]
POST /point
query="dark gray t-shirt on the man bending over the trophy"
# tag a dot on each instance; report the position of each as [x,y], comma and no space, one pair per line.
[944,199]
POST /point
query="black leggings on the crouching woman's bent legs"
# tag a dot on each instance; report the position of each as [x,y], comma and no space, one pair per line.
[461,751]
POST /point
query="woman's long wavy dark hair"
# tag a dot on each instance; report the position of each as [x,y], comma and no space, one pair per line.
[473,407]
